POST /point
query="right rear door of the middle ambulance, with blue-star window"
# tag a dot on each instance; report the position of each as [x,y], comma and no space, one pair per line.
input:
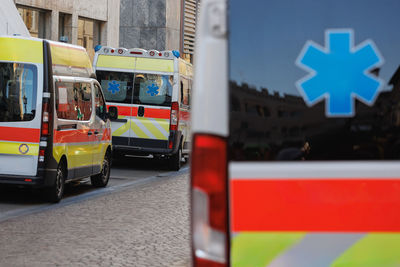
[152,101]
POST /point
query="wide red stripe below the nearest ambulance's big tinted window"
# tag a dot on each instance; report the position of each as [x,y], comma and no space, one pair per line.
[354,205]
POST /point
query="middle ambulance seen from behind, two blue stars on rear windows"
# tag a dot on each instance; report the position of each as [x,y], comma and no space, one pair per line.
[151,91]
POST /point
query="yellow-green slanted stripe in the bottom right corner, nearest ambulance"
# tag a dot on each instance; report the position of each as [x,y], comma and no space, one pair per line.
[374,250]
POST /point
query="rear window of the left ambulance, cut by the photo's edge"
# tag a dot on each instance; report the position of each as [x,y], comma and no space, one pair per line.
[18,89]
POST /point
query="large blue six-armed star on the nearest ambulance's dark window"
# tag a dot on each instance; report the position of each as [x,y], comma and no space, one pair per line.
[339,73]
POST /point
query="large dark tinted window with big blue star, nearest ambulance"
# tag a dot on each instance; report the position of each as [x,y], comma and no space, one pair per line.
[314,80]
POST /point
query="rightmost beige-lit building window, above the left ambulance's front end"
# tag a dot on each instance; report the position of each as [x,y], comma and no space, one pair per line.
[89,34]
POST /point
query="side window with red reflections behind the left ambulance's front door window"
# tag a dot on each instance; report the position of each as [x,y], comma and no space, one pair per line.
[73,101]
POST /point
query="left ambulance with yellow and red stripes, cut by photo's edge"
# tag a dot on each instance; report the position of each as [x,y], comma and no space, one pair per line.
[54,125]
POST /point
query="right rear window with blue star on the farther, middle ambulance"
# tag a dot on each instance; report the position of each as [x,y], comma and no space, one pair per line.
[153,89]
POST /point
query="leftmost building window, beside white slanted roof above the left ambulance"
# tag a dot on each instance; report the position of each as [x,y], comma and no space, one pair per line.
[35,21]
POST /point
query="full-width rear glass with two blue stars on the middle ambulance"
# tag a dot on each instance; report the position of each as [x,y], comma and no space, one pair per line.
[138,88]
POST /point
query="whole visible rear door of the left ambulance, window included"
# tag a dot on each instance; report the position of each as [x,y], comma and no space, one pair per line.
[21,82]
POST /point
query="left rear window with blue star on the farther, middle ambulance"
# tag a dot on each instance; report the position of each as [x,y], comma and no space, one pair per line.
[117,86]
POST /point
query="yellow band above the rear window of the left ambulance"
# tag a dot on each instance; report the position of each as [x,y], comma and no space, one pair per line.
[21,50]
